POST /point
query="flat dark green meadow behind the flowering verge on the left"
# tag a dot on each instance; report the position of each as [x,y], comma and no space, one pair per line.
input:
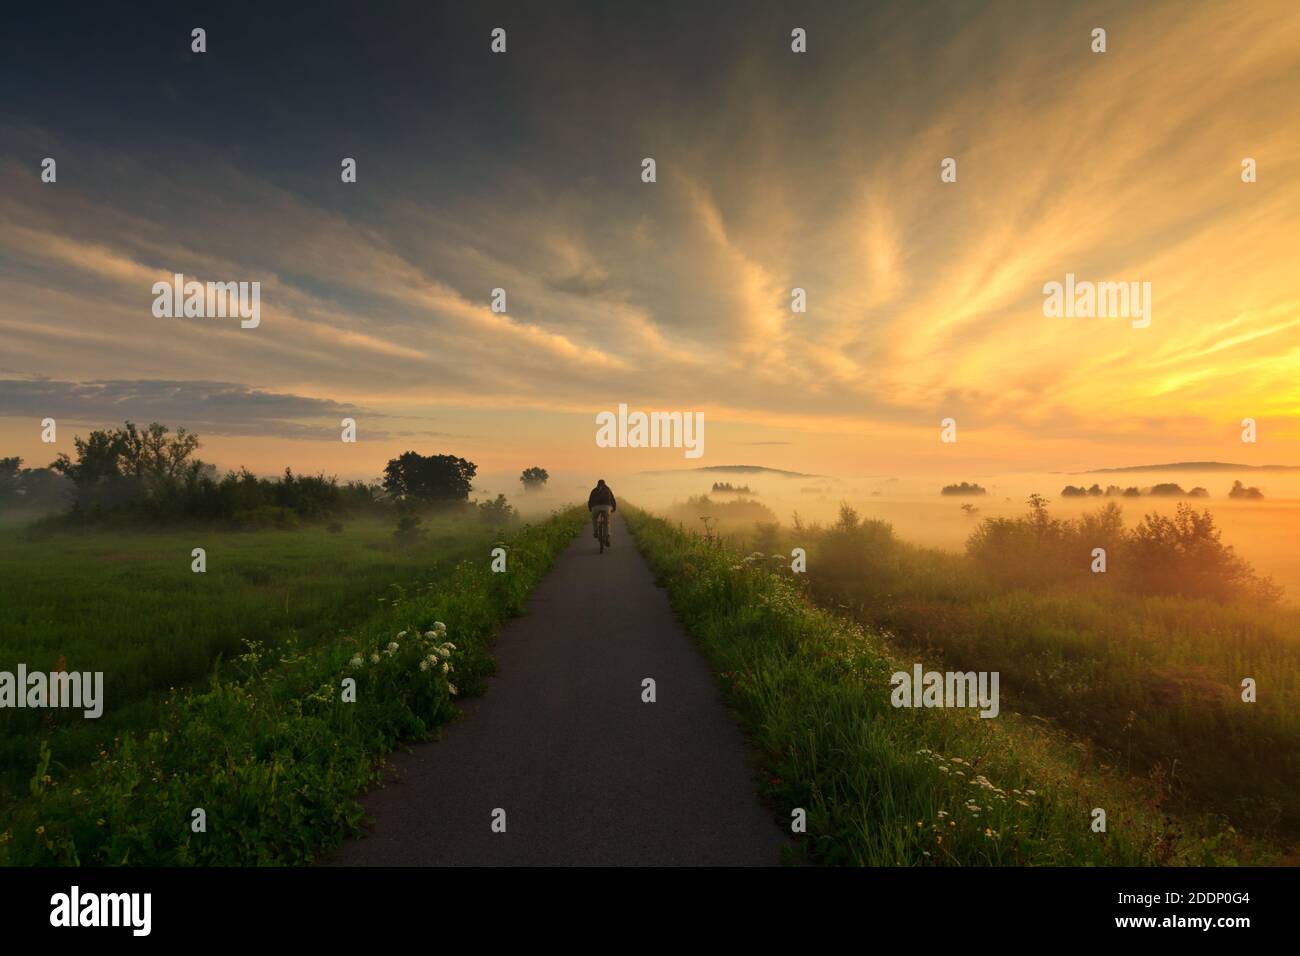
[128,604]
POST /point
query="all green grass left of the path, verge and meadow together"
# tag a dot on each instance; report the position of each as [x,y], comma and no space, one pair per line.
[265,742]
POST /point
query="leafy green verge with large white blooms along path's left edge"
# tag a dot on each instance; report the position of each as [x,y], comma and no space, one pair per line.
[270,750]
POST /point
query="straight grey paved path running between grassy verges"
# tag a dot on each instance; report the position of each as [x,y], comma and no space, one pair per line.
[562,742]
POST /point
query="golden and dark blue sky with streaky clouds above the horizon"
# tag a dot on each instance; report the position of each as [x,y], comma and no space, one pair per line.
[775,170]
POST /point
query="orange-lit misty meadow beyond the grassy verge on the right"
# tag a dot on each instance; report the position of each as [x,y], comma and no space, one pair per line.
[1154,680]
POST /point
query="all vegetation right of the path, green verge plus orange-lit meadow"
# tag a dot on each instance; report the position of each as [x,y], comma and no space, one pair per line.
[1098,698]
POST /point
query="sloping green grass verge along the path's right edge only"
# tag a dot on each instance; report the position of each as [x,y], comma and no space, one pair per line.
[886,786]
